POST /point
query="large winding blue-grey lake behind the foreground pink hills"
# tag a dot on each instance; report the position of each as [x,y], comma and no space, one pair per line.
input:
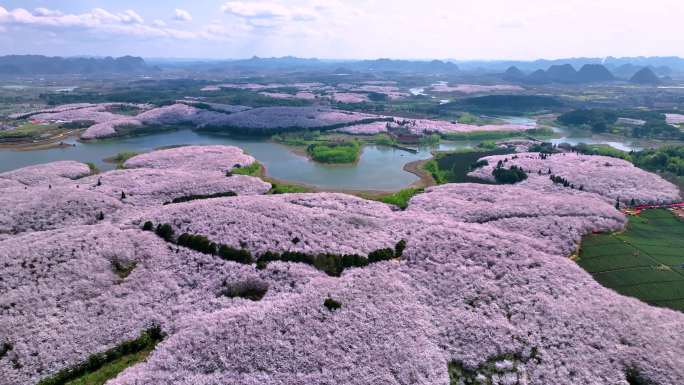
[379,168]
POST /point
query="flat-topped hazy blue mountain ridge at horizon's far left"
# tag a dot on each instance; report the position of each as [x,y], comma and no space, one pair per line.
[44,65]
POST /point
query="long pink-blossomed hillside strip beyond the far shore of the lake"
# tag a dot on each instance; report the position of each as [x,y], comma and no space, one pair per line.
[101,122]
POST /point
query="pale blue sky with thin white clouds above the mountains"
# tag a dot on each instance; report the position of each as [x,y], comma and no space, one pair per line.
[483,29]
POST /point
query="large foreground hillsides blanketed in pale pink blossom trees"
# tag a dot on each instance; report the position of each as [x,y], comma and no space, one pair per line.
[471,278]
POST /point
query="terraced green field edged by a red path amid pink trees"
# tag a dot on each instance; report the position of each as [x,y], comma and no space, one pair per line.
[645,261]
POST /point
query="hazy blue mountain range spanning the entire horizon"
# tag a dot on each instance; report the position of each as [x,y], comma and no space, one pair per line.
[563,71]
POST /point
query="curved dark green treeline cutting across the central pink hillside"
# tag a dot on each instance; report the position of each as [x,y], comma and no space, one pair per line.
[329,263]
